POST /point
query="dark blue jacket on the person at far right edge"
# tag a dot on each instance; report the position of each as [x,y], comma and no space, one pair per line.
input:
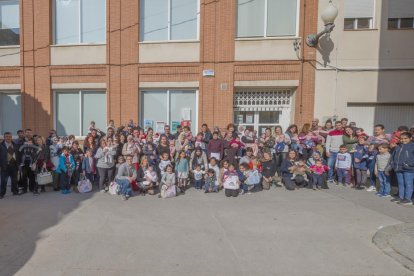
[403,158]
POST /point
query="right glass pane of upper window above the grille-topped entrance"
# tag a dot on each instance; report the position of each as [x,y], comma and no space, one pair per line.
[281,17]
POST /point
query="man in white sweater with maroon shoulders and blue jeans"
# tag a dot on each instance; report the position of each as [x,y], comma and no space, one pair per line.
[333,141]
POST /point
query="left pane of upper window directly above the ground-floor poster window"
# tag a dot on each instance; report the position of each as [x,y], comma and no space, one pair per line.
[154,20]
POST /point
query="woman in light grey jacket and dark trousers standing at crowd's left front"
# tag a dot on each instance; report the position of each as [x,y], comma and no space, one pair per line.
[105,165]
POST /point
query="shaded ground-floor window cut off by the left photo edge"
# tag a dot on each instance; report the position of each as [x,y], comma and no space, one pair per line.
[10,112]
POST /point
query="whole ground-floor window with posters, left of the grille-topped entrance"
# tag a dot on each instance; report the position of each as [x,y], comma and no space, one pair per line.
[171,107]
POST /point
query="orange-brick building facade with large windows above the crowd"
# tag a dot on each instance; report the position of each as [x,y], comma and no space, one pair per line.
[66,62]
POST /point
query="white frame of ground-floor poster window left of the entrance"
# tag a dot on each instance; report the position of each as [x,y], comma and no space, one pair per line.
[168,100]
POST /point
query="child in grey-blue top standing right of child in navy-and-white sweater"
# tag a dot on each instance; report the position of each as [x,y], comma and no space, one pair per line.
[360,163]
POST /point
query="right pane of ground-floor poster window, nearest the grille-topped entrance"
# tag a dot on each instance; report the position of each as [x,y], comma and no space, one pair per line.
[183,107]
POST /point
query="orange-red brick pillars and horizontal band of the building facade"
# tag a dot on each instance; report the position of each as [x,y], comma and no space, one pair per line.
[122,73]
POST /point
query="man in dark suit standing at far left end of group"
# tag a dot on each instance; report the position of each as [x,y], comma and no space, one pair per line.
[9,156]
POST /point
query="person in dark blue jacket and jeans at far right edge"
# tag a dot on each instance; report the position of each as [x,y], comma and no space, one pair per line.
[403,164]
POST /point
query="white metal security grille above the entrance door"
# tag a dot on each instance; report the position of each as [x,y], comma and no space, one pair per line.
[262,100]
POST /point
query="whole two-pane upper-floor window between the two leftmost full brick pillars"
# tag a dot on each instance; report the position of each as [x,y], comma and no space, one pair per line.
[79,21]
